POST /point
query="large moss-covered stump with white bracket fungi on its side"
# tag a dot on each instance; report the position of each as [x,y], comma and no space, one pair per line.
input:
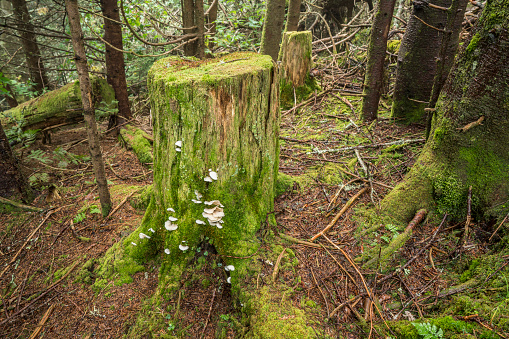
[216,155]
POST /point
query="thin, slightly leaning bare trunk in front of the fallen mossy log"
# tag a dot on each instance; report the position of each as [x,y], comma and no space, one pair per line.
[88,108]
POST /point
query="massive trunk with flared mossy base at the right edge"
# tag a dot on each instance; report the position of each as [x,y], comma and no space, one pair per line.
[469,143]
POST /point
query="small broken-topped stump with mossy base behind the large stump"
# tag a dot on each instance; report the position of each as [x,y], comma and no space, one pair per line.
[295,56]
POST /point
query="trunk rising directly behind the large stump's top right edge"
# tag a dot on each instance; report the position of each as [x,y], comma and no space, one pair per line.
[271,34]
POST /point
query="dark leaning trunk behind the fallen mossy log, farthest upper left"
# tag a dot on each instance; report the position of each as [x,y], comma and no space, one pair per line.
[29,44]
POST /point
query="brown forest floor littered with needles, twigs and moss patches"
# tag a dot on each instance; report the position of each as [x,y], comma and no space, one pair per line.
[330,158]
